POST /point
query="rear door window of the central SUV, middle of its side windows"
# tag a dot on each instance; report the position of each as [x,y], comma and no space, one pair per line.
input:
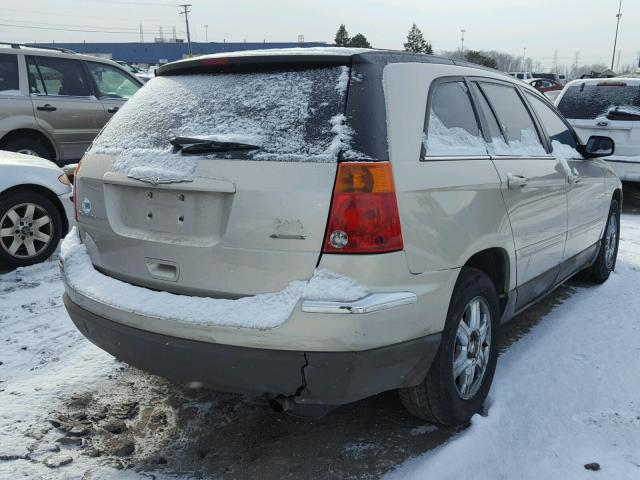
[515,122]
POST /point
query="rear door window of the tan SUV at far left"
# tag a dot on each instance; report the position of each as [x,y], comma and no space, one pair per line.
[58,77]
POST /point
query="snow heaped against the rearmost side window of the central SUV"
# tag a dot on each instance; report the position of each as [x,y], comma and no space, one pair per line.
[443,141]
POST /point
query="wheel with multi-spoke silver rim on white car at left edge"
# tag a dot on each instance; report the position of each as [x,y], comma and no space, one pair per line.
[32,245]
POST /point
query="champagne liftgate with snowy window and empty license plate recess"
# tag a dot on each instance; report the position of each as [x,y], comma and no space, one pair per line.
[228,223]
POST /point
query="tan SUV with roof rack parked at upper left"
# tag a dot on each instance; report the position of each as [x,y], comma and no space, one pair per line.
[54,102]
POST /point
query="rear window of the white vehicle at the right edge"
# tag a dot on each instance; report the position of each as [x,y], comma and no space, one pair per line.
[588,101]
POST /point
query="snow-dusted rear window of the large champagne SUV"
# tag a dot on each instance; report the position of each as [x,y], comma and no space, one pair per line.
[291,115]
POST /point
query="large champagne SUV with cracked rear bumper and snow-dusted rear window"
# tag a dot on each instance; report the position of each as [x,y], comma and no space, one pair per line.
[324,225]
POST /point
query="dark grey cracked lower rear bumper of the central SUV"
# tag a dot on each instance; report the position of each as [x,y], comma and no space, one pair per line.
[329,378]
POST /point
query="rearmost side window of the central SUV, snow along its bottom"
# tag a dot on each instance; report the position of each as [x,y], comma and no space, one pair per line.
[452,127]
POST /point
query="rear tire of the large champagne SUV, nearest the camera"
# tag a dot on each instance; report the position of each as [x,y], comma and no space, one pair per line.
[440,398]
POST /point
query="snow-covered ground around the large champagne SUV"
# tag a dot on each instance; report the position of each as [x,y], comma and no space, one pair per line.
[565,395]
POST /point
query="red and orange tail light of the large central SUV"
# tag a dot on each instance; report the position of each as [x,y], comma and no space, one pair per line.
[364,214]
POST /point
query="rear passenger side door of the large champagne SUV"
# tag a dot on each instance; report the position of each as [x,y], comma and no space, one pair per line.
[533,187]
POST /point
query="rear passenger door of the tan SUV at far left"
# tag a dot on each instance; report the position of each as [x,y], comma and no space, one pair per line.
[64,103]
